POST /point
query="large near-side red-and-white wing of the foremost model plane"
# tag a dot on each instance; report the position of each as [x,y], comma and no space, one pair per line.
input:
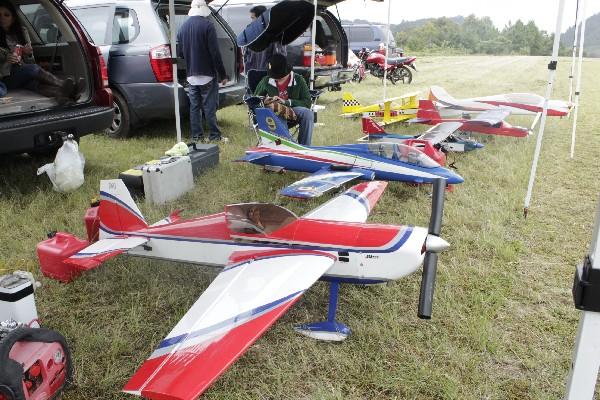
[243,301]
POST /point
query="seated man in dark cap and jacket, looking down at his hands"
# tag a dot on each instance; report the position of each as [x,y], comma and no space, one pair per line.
[283,86]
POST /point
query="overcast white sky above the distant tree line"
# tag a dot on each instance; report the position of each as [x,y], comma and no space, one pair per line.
[543,12]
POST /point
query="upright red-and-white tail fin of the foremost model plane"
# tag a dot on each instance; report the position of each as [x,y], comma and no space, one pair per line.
[118,212]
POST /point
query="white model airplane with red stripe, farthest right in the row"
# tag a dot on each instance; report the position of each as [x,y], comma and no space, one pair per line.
[514,103]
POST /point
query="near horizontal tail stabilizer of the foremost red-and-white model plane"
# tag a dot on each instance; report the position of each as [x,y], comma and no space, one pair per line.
[104,249]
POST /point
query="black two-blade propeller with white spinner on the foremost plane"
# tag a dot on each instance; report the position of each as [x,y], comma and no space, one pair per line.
[433,246]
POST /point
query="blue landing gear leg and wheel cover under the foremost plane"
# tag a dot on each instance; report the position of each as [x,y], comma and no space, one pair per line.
[330,330]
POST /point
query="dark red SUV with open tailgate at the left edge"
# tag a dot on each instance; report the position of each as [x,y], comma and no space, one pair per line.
[32,123]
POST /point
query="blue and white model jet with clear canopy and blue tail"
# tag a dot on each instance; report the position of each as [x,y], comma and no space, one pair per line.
[332,166]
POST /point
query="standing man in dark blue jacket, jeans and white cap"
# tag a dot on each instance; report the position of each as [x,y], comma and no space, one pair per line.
[198,45]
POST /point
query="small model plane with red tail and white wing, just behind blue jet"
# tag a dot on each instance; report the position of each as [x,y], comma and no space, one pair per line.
[440,136]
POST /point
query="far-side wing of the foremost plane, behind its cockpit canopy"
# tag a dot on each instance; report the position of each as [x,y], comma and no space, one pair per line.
[354,205]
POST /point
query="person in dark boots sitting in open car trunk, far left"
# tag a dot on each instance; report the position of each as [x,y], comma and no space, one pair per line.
[17,65]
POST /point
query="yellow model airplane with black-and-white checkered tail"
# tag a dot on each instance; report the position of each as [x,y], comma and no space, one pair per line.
[389,111]
